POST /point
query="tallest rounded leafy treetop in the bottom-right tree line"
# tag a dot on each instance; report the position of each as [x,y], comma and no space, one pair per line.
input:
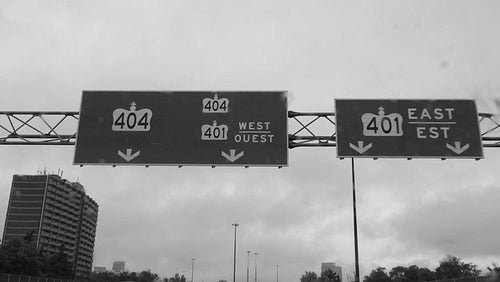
[453,267]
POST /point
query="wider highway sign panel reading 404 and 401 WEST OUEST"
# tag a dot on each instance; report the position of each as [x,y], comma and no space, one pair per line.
[183,128]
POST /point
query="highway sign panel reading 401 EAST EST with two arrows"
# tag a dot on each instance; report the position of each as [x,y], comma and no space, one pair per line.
[407,129]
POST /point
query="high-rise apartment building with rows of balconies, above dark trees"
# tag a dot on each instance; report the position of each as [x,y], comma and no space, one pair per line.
[58,212]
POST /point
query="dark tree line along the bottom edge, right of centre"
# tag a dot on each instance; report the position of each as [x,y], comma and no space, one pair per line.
[451,267]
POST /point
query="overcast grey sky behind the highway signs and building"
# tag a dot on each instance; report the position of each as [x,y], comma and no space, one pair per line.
[159,218]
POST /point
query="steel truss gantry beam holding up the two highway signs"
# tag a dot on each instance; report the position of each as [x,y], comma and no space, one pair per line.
[310,129]
